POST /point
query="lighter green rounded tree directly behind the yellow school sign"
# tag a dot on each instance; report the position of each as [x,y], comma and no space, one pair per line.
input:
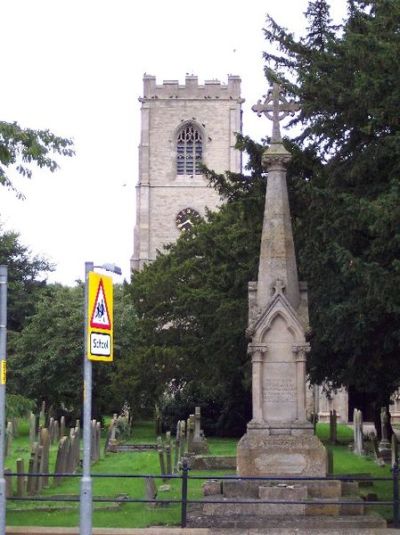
[47,356]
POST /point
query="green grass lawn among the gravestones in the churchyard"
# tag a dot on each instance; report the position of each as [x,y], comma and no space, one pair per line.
[146,462]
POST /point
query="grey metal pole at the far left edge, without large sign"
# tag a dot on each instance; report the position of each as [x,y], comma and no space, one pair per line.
[3,358]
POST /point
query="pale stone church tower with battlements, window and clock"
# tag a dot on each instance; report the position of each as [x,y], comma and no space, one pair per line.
[181,127]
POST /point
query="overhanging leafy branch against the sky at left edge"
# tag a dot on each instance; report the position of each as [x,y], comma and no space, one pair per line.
[20,147]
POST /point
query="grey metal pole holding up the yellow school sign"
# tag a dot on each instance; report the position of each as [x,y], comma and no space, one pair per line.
[86,480]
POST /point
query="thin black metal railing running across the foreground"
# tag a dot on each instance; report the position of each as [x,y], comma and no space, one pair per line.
[185,478]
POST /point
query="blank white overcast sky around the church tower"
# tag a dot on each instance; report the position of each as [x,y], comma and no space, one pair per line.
[76,68]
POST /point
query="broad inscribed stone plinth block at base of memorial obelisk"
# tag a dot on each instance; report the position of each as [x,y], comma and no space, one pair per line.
[260,453]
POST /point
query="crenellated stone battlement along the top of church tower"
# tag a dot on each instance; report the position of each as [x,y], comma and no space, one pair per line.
[191,89]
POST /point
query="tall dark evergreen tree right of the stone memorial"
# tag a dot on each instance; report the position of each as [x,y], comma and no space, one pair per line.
[349,234]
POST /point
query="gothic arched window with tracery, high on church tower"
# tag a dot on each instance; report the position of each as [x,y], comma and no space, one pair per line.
[189,150]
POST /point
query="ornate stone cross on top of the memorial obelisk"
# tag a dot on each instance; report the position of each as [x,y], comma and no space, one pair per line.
[275,107]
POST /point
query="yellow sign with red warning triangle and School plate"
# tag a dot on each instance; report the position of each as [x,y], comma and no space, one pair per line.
[100,317]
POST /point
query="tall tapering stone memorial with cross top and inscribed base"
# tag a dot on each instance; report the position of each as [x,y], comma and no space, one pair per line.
[279,440]
